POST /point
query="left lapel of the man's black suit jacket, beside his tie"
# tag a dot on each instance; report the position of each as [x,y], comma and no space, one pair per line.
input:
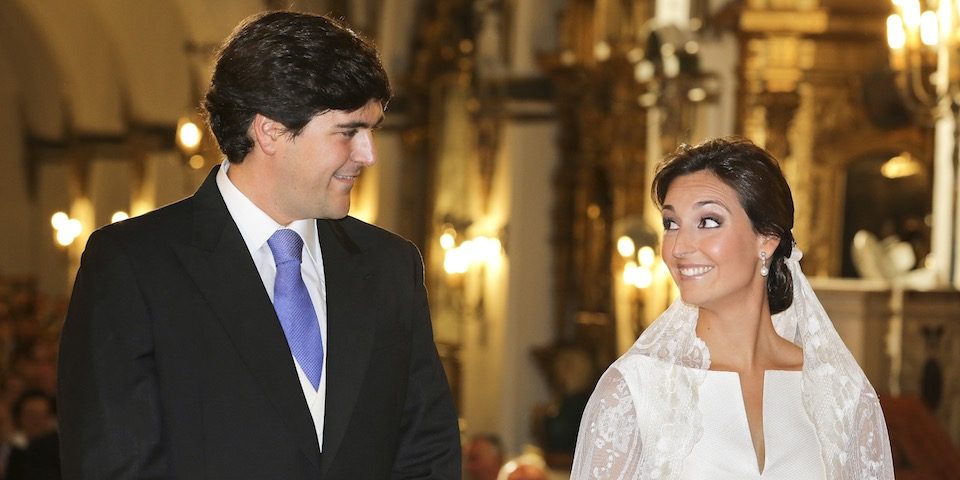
[220,264]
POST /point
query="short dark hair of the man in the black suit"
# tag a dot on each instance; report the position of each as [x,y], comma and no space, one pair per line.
[288,67]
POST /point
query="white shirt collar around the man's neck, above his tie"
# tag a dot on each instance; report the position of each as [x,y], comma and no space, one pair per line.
[255,225]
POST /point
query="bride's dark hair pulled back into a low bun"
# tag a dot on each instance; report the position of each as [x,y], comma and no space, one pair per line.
[761,188]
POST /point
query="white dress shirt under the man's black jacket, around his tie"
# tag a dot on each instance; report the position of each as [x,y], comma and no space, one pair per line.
[256,227]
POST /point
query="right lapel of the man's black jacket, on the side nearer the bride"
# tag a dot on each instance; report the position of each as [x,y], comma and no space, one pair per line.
[350,328]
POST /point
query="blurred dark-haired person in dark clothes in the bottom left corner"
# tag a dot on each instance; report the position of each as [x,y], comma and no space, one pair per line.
[36,454]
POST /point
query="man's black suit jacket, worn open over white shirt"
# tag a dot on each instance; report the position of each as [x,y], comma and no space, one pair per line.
[173,364]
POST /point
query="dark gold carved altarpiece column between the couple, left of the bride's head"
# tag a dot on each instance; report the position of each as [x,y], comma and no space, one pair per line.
[601,177]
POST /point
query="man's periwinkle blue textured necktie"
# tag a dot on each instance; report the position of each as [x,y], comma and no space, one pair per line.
[293,305]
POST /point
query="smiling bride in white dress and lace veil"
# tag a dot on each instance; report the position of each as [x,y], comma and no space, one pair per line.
[744,376]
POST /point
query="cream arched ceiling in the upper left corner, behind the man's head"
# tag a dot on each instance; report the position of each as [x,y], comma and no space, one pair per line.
[100,67]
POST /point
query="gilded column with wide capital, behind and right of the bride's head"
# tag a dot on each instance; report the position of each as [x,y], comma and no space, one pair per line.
[804,94]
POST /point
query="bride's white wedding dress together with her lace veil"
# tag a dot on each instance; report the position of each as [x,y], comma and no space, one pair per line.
[659,412]
